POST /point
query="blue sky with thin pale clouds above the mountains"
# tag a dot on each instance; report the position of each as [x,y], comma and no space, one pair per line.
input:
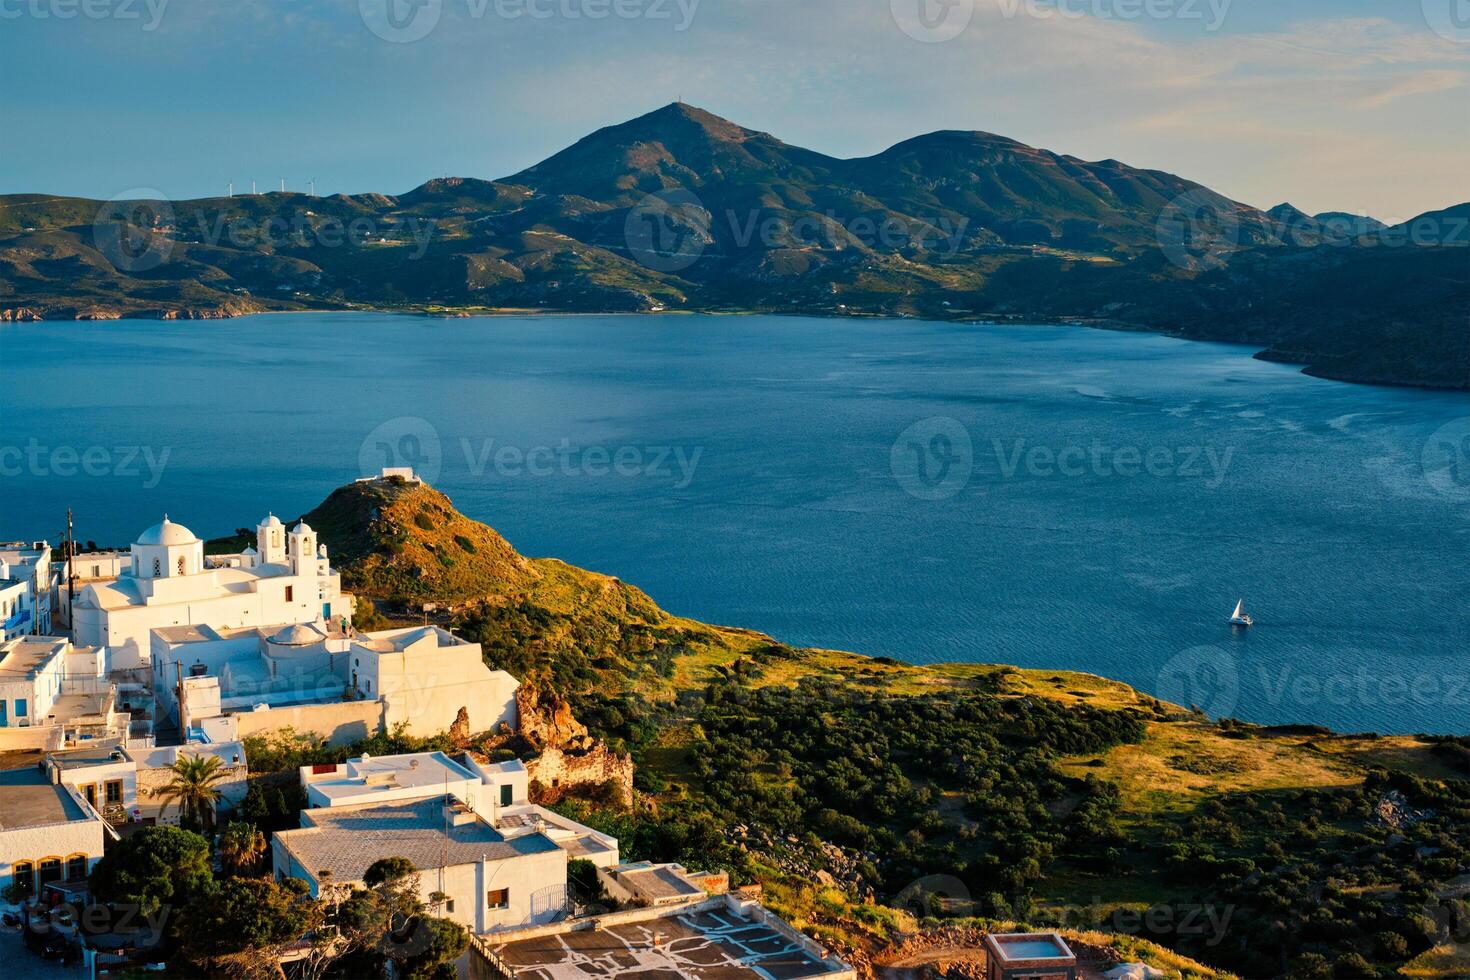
[1331,105]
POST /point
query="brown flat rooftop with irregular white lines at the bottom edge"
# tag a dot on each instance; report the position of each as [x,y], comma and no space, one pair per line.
[706,945]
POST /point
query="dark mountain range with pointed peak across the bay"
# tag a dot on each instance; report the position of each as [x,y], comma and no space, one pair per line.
[683,211]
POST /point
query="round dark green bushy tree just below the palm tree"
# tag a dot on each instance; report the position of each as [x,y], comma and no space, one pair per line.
[155,868]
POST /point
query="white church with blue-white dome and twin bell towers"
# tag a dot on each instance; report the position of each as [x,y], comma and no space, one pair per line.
[170,583]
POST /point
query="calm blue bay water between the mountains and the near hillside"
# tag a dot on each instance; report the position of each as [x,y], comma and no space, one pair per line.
[745,471]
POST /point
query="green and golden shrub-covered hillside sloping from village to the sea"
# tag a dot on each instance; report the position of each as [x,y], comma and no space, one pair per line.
[870,797]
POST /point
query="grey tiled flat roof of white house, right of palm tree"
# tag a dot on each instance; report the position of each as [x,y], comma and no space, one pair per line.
[348,840]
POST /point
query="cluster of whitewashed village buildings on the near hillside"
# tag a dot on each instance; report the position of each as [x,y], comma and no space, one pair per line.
[129,678]
